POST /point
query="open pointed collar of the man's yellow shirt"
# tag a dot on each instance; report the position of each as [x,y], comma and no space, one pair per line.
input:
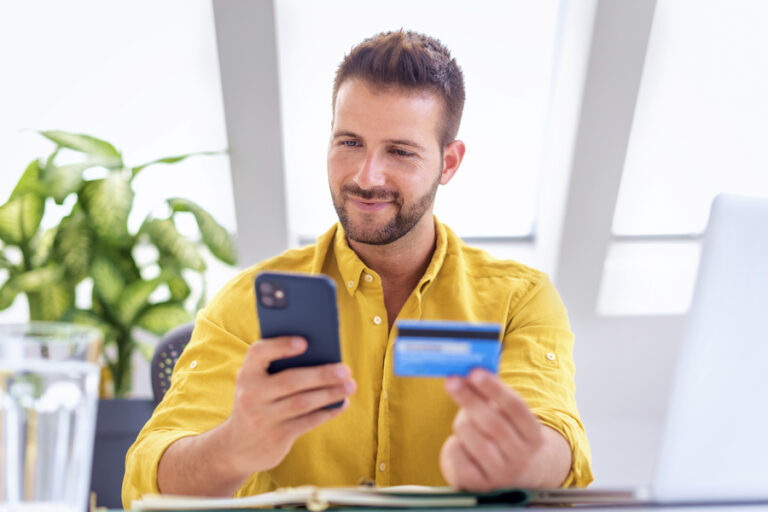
[352,268]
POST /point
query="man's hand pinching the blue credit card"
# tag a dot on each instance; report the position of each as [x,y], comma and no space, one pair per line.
[497,441]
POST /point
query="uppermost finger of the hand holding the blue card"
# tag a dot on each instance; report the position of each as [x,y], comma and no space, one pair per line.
[511,404]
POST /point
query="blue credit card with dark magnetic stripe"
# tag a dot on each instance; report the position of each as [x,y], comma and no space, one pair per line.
[441,349]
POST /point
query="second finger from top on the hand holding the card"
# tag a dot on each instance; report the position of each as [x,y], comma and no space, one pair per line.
[488,419]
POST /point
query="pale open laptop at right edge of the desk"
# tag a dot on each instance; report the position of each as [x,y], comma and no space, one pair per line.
[714,446]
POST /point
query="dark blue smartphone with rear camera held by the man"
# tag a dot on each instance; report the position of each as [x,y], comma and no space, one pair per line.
[303,305]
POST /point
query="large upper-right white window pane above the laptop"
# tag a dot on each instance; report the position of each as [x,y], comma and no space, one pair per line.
[701,118]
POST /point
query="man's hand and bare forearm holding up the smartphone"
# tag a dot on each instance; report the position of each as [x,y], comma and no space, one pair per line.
[269,412]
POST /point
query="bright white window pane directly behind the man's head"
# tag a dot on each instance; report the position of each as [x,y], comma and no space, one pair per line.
[505,50]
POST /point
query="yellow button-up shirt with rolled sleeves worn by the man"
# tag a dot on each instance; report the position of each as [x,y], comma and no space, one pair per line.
[394,427]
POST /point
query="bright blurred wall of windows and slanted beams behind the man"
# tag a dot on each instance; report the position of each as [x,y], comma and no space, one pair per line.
[597,134]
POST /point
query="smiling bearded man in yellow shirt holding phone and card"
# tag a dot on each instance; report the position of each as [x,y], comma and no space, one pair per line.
[227,427]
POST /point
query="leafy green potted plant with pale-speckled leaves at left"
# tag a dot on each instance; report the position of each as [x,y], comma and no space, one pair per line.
[93,244]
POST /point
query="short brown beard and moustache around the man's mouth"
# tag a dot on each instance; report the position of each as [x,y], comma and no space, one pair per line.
[405,218]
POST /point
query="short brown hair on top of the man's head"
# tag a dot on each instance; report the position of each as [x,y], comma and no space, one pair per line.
[413,61]
